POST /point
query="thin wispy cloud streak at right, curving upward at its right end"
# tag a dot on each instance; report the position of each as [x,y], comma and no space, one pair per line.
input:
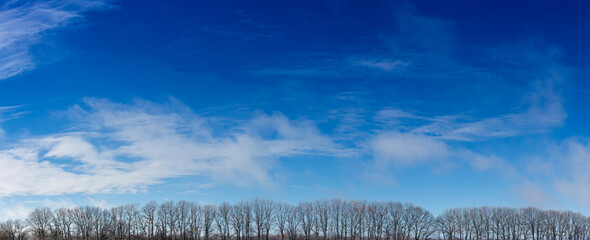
[545,111]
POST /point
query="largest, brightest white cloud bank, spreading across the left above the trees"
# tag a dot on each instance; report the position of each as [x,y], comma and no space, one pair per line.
[124,148]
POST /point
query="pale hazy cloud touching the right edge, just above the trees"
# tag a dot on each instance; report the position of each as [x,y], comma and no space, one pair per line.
[558,174]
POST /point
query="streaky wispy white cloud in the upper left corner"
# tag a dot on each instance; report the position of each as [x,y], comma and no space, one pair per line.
[24,24]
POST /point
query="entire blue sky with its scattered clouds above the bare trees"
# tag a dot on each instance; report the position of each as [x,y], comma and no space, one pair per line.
[444,104]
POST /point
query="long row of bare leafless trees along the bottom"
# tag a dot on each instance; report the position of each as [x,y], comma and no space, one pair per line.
[262,219]
